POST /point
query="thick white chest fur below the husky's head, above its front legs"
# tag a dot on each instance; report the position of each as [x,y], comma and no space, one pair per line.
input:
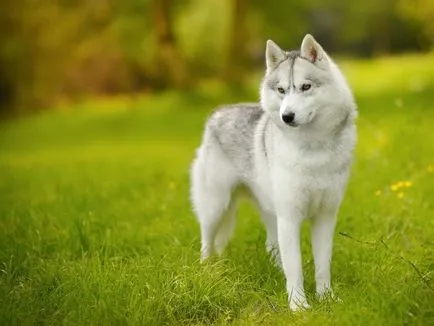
[310,174]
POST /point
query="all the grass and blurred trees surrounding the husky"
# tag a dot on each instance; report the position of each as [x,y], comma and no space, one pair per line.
[111,96]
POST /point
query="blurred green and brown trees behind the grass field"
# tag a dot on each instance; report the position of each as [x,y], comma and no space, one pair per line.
[60,51]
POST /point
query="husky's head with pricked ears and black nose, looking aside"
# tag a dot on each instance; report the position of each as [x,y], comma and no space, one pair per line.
[304,88]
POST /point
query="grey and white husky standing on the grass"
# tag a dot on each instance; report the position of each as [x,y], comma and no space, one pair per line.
[291,153]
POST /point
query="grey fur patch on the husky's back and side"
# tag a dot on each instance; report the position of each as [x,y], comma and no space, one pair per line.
[233,127]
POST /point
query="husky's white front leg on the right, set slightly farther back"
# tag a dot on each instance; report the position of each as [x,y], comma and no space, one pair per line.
[322,230]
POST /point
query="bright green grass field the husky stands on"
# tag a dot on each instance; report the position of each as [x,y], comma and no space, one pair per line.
[96,226]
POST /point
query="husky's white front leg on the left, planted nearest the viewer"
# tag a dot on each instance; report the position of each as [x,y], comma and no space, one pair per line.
[288,226]
